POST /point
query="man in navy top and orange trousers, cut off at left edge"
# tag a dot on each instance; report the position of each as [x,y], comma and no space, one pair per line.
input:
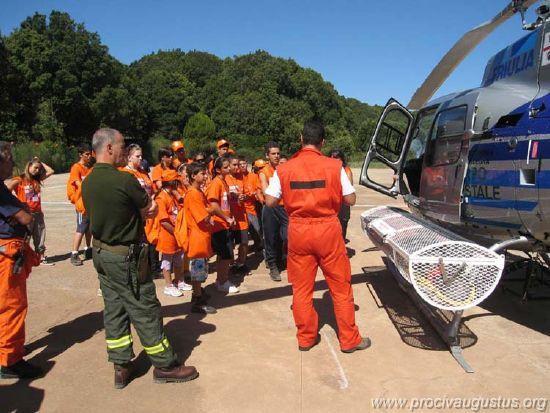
[16,261]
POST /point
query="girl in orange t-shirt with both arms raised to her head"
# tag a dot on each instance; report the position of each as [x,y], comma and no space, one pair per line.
[27,188]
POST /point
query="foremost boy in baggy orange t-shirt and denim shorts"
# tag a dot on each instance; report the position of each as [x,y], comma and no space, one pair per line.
[198,226]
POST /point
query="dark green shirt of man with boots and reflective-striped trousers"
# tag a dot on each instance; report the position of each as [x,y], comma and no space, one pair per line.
[113,200]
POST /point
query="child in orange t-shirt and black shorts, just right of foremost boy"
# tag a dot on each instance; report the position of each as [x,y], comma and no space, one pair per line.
[217,195]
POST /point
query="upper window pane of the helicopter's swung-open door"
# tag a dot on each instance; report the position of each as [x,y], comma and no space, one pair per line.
[391,135]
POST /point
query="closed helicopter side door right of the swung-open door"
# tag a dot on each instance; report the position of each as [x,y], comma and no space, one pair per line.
[443,172]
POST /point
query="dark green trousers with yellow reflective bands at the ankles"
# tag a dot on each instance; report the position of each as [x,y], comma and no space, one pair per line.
[117,279]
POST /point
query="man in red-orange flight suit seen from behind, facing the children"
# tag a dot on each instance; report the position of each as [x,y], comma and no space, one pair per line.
[312,187]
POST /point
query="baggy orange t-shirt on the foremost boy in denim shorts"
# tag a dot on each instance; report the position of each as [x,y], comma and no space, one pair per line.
[198,229]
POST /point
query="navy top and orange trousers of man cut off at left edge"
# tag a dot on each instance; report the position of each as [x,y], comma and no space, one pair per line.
[13,287]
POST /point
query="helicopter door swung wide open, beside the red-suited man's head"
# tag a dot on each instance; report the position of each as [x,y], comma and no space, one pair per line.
[387,150]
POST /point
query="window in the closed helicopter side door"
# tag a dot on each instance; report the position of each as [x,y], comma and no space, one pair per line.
[446,136]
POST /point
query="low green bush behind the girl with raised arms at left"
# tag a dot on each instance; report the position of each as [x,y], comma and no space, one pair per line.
[58,155]
